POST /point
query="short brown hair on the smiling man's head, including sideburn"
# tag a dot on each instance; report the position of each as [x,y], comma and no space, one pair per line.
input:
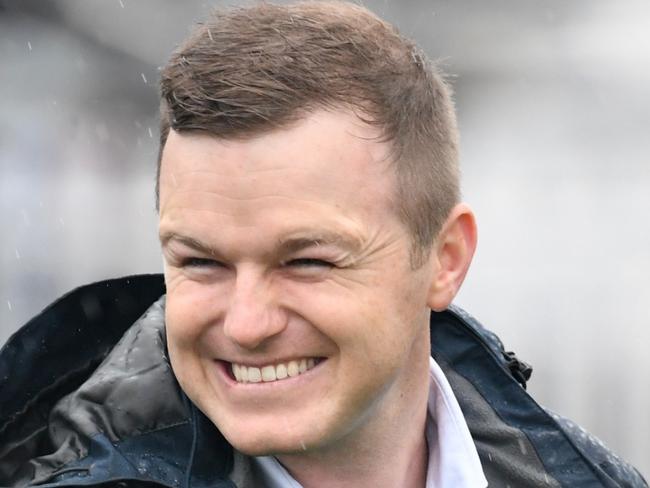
[250,70]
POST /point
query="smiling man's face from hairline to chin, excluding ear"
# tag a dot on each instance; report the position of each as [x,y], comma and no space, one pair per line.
[294,320]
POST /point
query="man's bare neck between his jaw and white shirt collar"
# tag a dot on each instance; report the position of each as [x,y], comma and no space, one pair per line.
[389,450]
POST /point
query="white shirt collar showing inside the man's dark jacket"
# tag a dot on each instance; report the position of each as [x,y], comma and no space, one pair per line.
[453,460]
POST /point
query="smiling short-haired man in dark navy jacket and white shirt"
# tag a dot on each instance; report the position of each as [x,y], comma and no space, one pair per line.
[310,223]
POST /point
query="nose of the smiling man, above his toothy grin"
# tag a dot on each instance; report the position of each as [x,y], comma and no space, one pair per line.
[253,315]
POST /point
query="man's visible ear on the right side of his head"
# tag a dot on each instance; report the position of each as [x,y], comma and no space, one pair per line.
[451,256]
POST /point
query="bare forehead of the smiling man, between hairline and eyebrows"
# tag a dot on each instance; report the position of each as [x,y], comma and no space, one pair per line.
[329,158]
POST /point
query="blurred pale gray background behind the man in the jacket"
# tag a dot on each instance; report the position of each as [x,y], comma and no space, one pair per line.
[553,100]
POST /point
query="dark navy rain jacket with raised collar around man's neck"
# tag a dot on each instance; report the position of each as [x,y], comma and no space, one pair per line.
[87,398]
